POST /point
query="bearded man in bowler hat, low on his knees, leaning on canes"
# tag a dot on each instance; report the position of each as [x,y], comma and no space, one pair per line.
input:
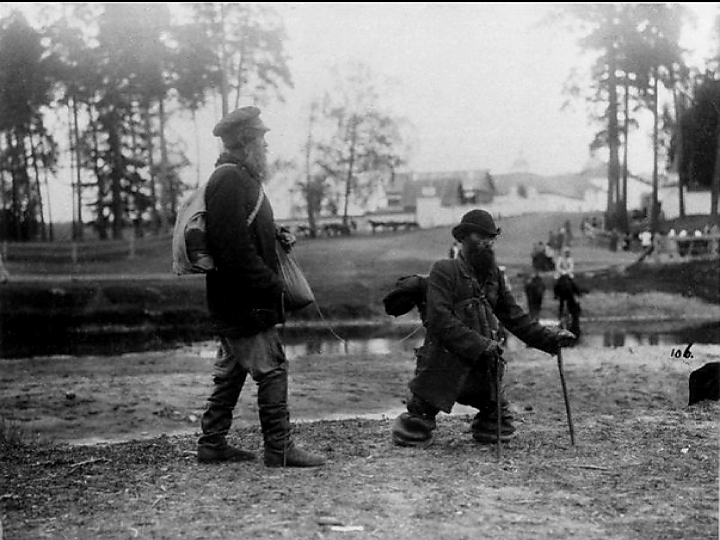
[466,302]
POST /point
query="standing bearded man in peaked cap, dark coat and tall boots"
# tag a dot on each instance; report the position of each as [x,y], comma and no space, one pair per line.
[244,296]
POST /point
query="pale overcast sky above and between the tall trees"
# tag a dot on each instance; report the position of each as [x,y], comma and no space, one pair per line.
[481,83]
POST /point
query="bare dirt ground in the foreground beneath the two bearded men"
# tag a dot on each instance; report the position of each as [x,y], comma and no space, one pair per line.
[644,465]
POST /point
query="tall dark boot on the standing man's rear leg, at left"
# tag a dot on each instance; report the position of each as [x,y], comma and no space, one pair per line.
[216,422]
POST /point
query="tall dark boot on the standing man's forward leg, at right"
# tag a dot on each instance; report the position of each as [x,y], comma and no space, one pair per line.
[280,451]
